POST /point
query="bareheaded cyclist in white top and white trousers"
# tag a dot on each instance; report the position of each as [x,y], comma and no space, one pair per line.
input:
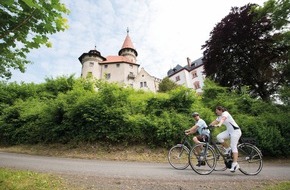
[233,132]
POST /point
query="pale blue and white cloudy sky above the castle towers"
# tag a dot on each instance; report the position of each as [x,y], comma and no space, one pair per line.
[163,32]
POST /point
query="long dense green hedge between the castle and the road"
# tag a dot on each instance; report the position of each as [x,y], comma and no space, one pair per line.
[68,110]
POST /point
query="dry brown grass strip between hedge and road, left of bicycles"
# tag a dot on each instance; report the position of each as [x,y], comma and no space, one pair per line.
[96,151]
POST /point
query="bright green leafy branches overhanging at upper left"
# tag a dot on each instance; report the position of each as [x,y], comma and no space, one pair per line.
[25,25]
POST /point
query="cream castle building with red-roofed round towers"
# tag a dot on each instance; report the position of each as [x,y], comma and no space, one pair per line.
[122,69]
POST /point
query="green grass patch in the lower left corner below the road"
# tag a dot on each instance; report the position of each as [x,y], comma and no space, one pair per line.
[27,180]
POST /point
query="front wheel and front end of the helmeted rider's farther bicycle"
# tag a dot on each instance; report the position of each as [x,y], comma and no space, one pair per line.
[178,154]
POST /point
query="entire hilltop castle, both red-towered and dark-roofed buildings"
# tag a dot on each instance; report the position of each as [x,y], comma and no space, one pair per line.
[124,69]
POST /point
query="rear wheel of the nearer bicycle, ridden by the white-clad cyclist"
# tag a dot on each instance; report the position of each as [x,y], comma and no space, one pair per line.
[250,159]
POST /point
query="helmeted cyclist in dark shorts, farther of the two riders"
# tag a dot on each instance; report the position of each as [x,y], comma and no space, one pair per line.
[203,133]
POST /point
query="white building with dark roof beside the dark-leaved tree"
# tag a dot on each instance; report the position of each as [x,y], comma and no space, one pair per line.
[191,76]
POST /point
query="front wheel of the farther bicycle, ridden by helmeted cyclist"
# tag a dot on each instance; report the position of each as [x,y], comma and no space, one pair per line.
[178,157]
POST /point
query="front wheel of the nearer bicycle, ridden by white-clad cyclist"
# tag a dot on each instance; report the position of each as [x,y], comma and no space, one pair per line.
[202,158]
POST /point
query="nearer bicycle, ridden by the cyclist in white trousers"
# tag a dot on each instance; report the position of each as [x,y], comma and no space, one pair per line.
[206,157]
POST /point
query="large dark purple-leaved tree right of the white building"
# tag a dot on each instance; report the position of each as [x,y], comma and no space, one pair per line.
[243,51]
